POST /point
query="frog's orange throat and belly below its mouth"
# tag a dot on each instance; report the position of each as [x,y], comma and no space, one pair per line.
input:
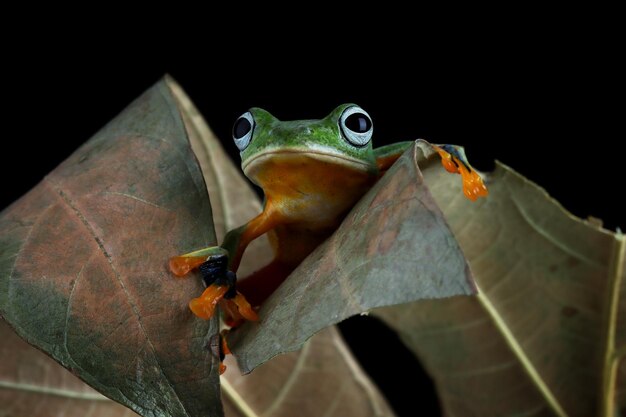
[310,196]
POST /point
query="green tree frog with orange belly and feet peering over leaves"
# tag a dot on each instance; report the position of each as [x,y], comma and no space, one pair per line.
[312,172]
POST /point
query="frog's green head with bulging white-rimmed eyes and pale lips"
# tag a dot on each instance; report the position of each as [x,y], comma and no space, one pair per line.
[341,138]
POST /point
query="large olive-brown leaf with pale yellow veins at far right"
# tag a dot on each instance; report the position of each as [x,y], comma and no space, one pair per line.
[547,333]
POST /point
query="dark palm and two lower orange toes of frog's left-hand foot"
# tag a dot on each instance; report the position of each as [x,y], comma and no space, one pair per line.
[221,288]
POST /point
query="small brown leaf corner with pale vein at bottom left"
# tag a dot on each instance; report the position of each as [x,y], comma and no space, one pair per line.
[32,384]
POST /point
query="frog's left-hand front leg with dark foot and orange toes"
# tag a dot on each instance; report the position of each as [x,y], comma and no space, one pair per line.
[218,265]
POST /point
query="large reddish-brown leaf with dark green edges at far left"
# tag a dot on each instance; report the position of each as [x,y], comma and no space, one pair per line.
[83,264]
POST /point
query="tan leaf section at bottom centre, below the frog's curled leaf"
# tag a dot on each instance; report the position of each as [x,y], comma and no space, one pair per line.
[322,379]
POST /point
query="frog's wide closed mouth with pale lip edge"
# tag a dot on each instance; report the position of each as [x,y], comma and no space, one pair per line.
[294,154]
